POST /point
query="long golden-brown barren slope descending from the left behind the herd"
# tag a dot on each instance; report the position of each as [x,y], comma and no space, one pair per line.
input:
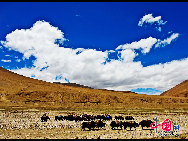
[17,91]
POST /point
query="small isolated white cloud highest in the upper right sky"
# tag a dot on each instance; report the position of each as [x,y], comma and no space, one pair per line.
[152,20]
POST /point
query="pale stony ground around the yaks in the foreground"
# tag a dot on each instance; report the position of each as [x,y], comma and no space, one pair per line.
[27,125]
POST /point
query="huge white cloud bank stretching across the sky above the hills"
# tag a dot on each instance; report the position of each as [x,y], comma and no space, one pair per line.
[86,66]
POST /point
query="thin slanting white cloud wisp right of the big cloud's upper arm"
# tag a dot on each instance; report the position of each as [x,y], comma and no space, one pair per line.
[167,41]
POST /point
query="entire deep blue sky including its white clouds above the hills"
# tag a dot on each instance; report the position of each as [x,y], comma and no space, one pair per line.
[97,27]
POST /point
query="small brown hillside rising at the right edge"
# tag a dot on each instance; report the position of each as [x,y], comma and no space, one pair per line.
[180,90]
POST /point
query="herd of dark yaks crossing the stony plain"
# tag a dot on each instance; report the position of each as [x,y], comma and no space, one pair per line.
[91,122]
